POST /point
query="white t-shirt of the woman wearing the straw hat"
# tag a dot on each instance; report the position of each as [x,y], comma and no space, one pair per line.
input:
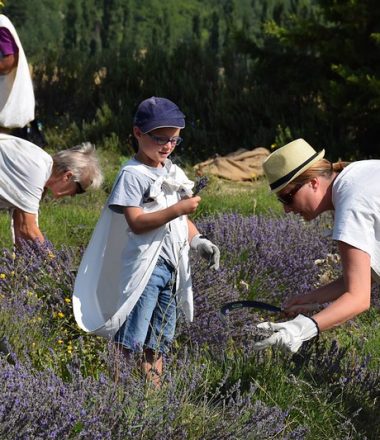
[356,199]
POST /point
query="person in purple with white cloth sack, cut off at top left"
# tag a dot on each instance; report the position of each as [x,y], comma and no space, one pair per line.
[17,103]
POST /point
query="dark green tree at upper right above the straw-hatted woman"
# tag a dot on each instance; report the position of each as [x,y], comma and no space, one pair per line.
[330,61]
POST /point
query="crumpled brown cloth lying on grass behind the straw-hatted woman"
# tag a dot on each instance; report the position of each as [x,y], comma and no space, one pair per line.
[239,165]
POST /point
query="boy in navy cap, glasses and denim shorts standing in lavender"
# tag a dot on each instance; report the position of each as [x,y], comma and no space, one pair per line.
[155,197]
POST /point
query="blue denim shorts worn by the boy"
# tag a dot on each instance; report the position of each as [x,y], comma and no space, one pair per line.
[151,323]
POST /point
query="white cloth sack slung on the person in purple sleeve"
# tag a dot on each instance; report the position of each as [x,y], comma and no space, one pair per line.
[16,89]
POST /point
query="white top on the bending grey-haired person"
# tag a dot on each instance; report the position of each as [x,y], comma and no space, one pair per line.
[24,170]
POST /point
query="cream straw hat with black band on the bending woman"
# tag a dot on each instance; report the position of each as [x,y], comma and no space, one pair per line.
[288,162]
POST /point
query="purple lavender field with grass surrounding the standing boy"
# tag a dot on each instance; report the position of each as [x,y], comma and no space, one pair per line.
[57,382]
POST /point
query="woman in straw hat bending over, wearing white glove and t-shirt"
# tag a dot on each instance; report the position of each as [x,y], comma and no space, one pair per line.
[308,185]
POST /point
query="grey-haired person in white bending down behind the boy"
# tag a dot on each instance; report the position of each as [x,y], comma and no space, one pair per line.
[27,171]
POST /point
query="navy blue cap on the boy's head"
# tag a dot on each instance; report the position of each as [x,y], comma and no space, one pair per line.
[155,113]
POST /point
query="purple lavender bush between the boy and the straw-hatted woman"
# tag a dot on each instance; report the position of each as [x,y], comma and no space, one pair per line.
[263,259]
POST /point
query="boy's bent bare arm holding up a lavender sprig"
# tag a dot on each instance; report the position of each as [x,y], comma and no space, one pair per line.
[141,222]
